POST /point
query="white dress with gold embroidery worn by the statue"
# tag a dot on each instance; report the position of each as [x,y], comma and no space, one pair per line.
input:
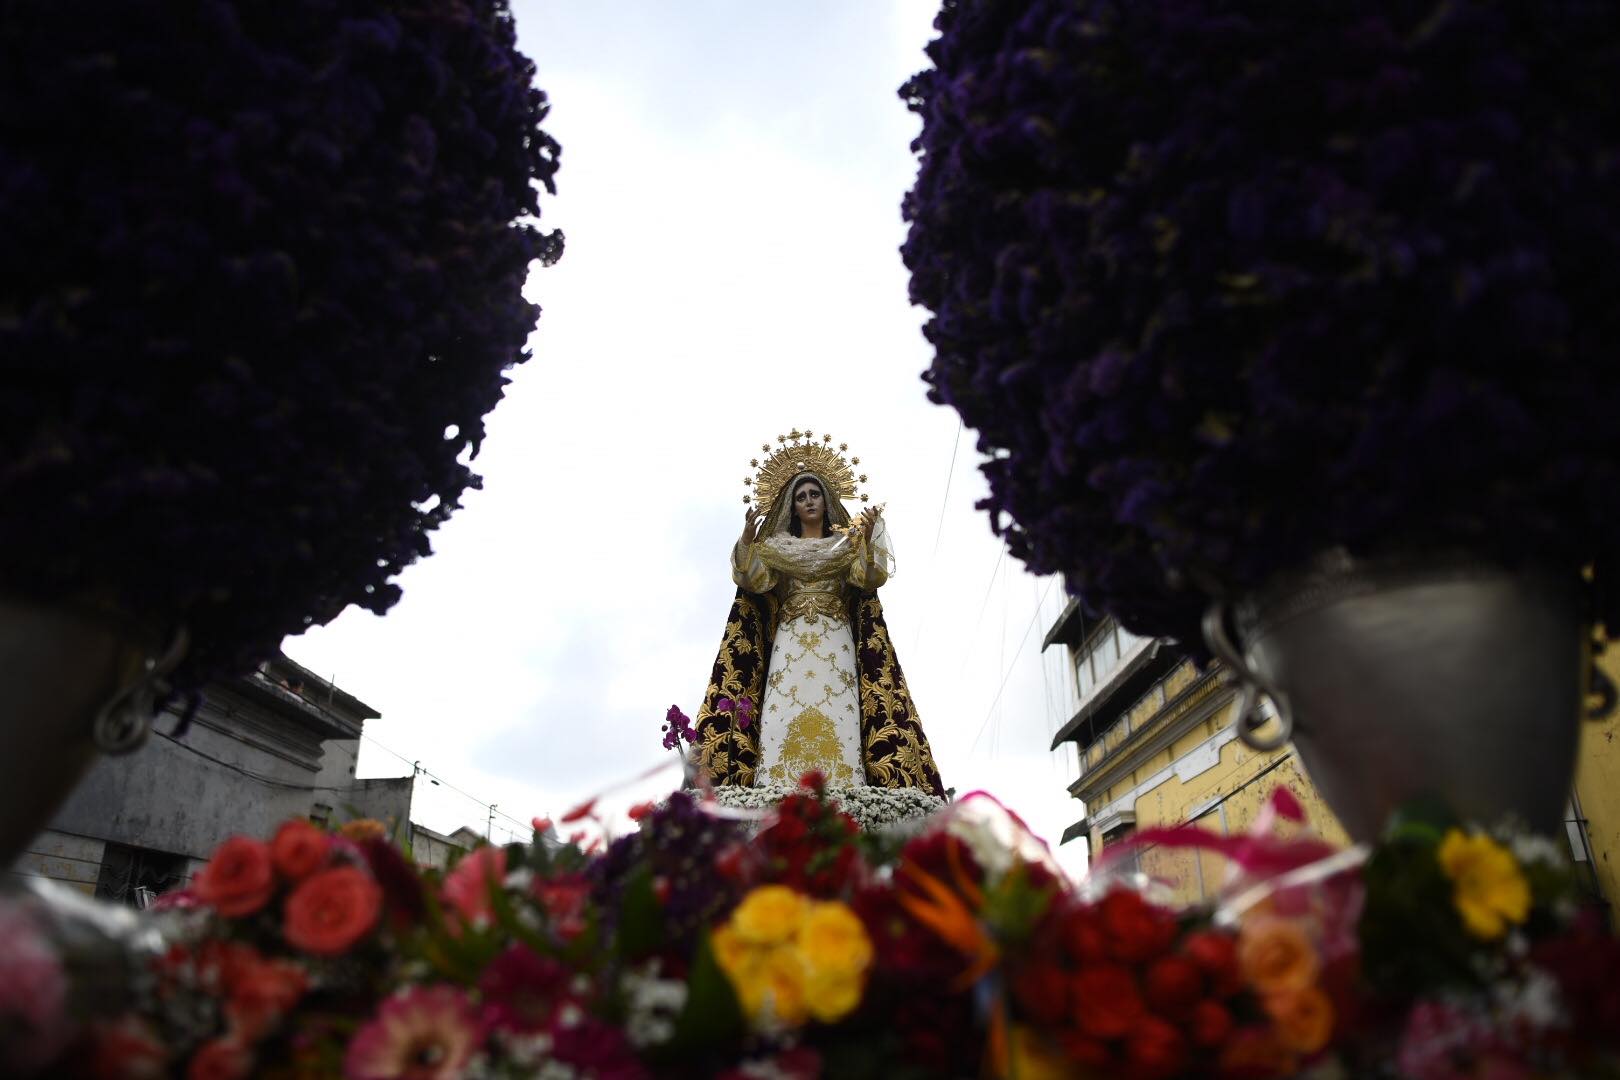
[811,716]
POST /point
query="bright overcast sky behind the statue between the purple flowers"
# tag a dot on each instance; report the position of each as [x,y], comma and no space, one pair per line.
[730,189]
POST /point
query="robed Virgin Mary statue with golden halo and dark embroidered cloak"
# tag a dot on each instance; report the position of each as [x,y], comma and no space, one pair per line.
[806,642]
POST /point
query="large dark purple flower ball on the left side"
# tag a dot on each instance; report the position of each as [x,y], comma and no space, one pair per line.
[262,276]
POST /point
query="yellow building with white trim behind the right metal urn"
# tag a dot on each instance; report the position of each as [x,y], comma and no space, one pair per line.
[1156,746]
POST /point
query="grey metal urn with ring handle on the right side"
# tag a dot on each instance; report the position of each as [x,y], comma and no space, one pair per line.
[1417,678]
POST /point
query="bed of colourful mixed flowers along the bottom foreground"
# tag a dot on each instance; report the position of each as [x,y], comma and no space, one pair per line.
[697,948]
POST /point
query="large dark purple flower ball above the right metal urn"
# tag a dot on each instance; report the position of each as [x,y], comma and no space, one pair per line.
[1226,286]
